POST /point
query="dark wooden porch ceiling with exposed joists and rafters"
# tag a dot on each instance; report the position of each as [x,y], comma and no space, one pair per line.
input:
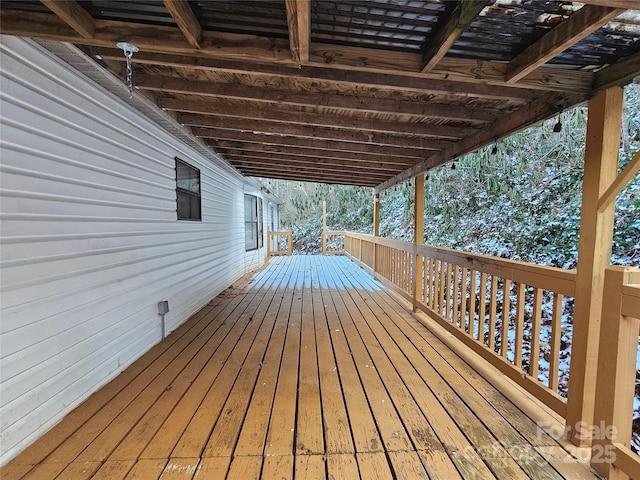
[364,92]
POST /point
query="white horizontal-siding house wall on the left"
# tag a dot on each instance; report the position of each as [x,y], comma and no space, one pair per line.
[90,242]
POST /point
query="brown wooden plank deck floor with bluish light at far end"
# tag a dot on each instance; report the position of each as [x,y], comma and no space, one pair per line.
[308,369]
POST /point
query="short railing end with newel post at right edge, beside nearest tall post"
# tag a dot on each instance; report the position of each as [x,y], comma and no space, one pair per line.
[616,380]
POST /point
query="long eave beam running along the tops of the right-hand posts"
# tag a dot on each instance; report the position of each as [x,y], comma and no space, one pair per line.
[540,109]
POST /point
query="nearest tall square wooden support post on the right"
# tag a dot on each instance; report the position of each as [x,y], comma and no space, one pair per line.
[594,256]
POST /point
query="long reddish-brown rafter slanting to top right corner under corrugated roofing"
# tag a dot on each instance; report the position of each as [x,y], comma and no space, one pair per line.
[578,26]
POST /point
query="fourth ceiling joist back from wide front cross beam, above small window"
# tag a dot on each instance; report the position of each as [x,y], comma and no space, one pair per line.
[277,128]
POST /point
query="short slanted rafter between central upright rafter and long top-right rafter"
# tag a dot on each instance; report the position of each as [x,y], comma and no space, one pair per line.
[465,12]
